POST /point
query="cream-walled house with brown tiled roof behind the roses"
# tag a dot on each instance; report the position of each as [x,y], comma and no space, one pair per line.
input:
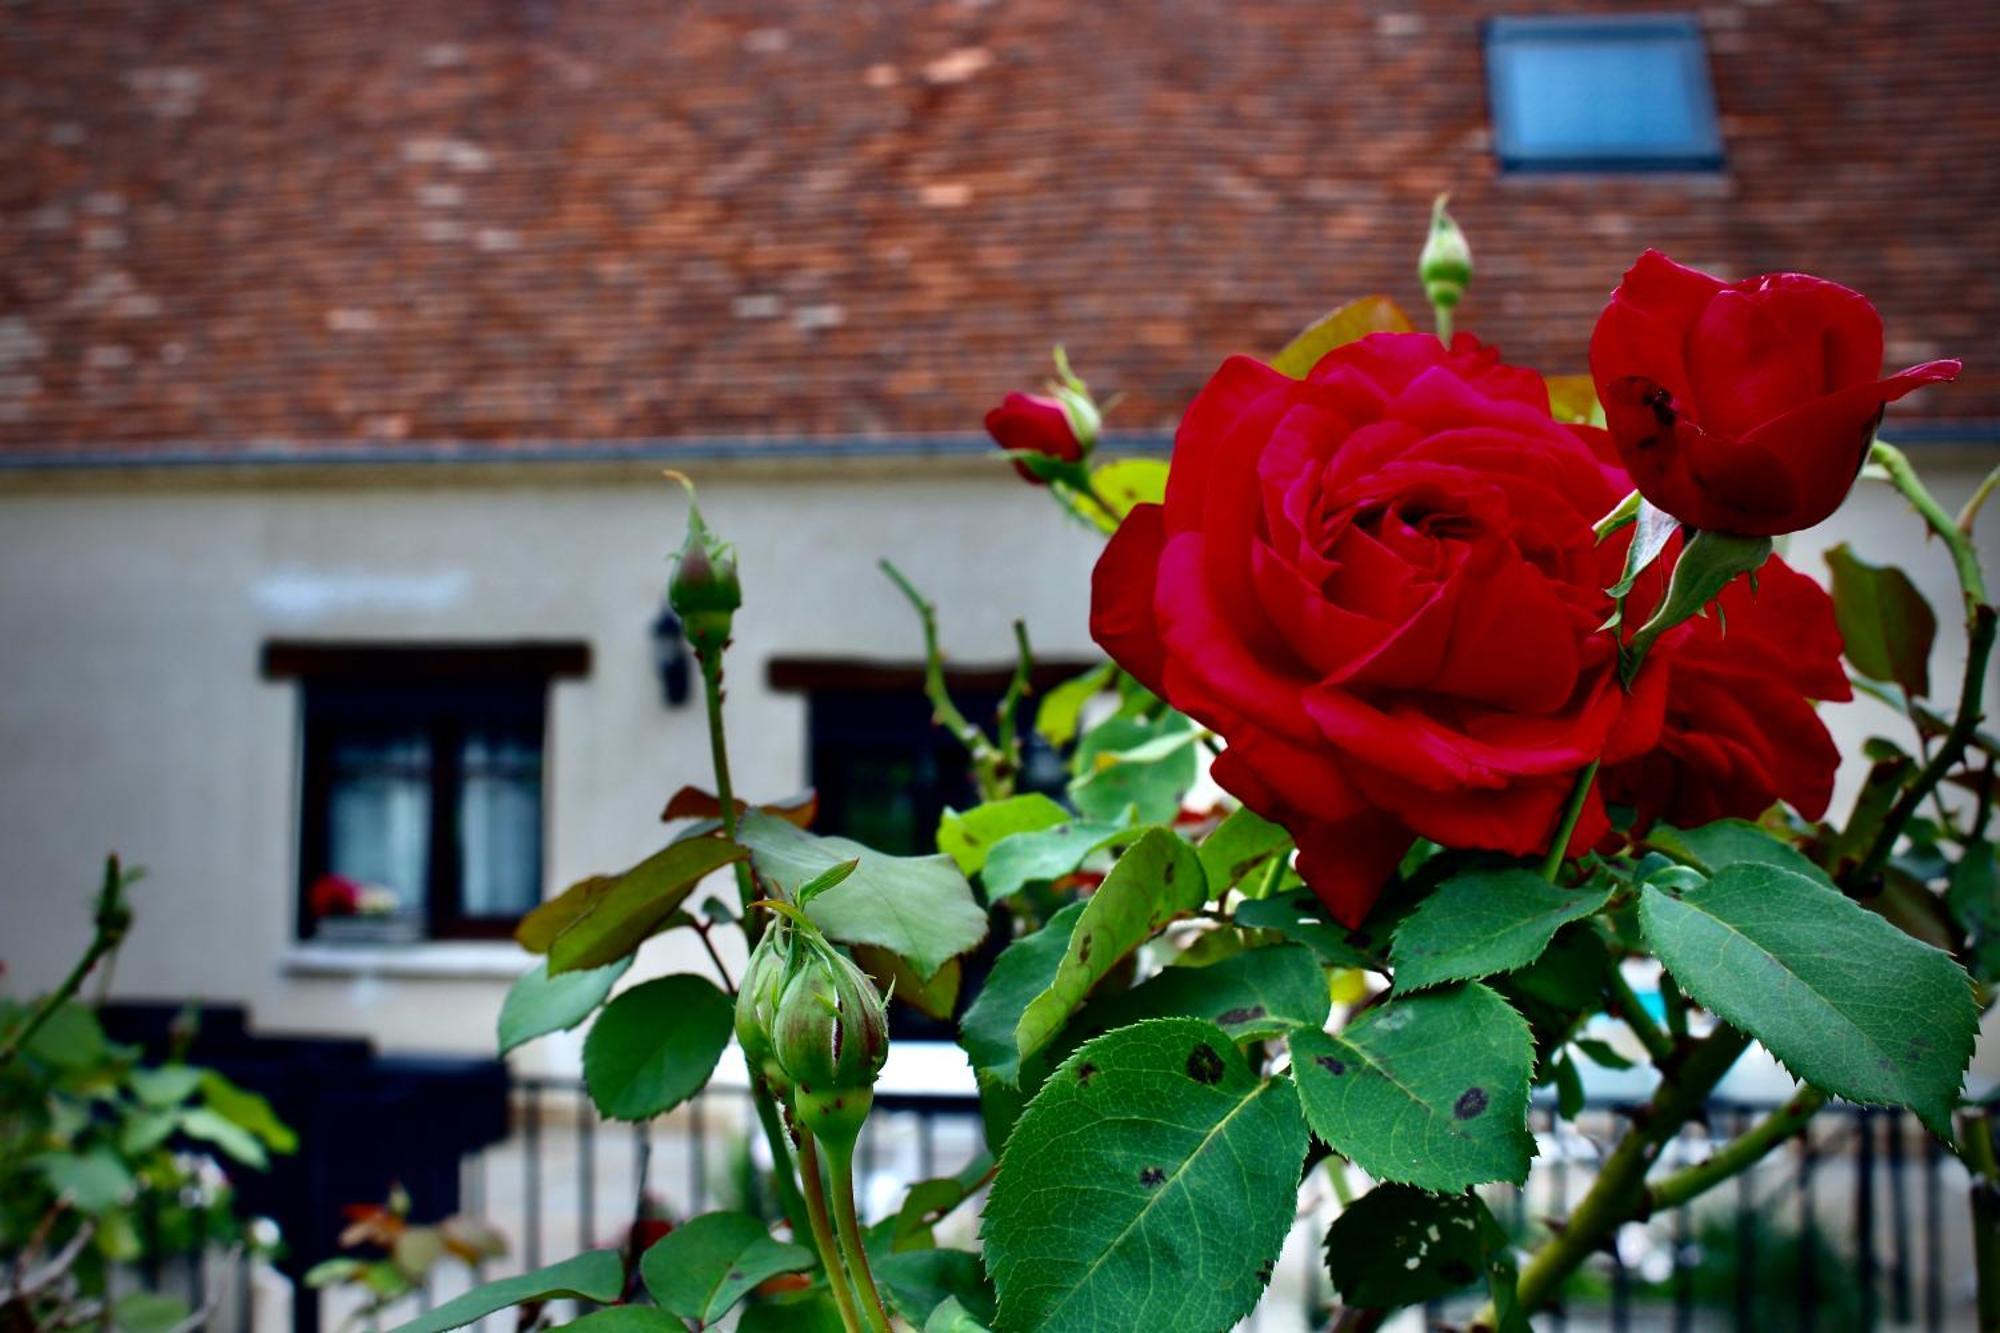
[343,345]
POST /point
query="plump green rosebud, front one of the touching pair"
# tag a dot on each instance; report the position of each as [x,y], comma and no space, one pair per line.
[831,1036]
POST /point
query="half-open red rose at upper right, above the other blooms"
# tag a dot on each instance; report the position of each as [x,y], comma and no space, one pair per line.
[1743,407]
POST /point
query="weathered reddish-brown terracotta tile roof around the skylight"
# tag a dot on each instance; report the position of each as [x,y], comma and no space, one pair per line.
[601,221]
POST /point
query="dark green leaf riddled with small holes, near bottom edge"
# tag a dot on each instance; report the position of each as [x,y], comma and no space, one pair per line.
[1399,1246]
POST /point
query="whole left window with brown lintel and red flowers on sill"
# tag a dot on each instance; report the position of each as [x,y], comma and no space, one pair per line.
[421,798]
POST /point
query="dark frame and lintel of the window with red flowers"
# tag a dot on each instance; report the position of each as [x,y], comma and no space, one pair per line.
[441,692]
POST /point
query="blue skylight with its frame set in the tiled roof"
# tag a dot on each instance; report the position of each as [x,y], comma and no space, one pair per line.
[1601,95]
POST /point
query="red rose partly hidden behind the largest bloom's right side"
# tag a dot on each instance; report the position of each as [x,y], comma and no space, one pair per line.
[1739,732]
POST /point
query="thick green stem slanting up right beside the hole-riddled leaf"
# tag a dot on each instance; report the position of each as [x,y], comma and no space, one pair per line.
[1619,1192]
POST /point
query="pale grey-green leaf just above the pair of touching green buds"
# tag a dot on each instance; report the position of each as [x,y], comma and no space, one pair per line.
[917,908]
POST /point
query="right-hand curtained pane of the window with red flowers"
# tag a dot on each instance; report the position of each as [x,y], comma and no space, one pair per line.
[501,826]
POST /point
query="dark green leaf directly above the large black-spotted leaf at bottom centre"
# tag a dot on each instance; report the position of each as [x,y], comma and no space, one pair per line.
[1257,994]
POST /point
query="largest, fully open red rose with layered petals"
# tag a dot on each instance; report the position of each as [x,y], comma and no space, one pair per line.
[1383,589]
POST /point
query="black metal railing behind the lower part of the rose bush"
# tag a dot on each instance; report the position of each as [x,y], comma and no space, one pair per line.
[1857,1224]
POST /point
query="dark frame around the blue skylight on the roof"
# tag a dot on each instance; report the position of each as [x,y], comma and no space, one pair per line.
[1701,153]
